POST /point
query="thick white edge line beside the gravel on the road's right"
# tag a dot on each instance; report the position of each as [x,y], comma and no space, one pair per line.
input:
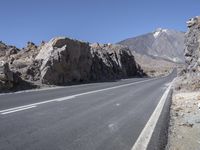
[146,134]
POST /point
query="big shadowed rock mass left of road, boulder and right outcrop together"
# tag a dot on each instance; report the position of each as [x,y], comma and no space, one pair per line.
[67,61]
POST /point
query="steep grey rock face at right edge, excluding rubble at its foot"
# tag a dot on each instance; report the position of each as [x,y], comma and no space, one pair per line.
[192,45]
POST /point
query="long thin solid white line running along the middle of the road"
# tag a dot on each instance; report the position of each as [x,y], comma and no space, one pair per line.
[73,96]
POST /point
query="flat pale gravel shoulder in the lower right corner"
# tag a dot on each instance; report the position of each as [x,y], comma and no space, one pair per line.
[184,131]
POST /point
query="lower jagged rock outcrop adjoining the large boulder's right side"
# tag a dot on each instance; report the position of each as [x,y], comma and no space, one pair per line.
[112,62]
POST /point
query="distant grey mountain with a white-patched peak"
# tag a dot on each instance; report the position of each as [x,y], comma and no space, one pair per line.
[162,43]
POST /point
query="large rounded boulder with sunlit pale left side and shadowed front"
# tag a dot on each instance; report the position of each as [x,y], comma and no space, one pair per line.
[64,61]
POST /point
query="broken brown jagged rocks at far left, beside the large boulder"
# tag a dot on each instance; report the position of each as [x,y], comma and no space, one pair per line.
[14,66]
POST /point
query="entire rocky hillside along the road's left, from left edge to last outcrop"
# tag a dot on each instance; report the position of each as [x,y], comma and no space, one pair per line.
[64,61]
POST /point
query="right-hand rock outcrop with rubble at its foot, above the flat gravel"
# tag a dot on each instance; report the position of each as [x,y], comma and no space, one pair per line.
[190,76]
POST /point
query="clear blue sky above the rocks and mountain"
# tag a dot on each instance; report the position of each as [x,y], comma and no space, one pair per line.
[90,20]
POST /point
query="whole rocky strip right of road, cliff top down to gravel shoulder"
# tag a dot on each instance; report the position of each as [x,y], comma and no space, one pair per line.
[185,108]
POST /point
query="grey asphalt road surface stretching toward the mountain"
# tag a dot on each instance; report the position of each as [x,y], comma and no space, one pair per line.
[98,116]
